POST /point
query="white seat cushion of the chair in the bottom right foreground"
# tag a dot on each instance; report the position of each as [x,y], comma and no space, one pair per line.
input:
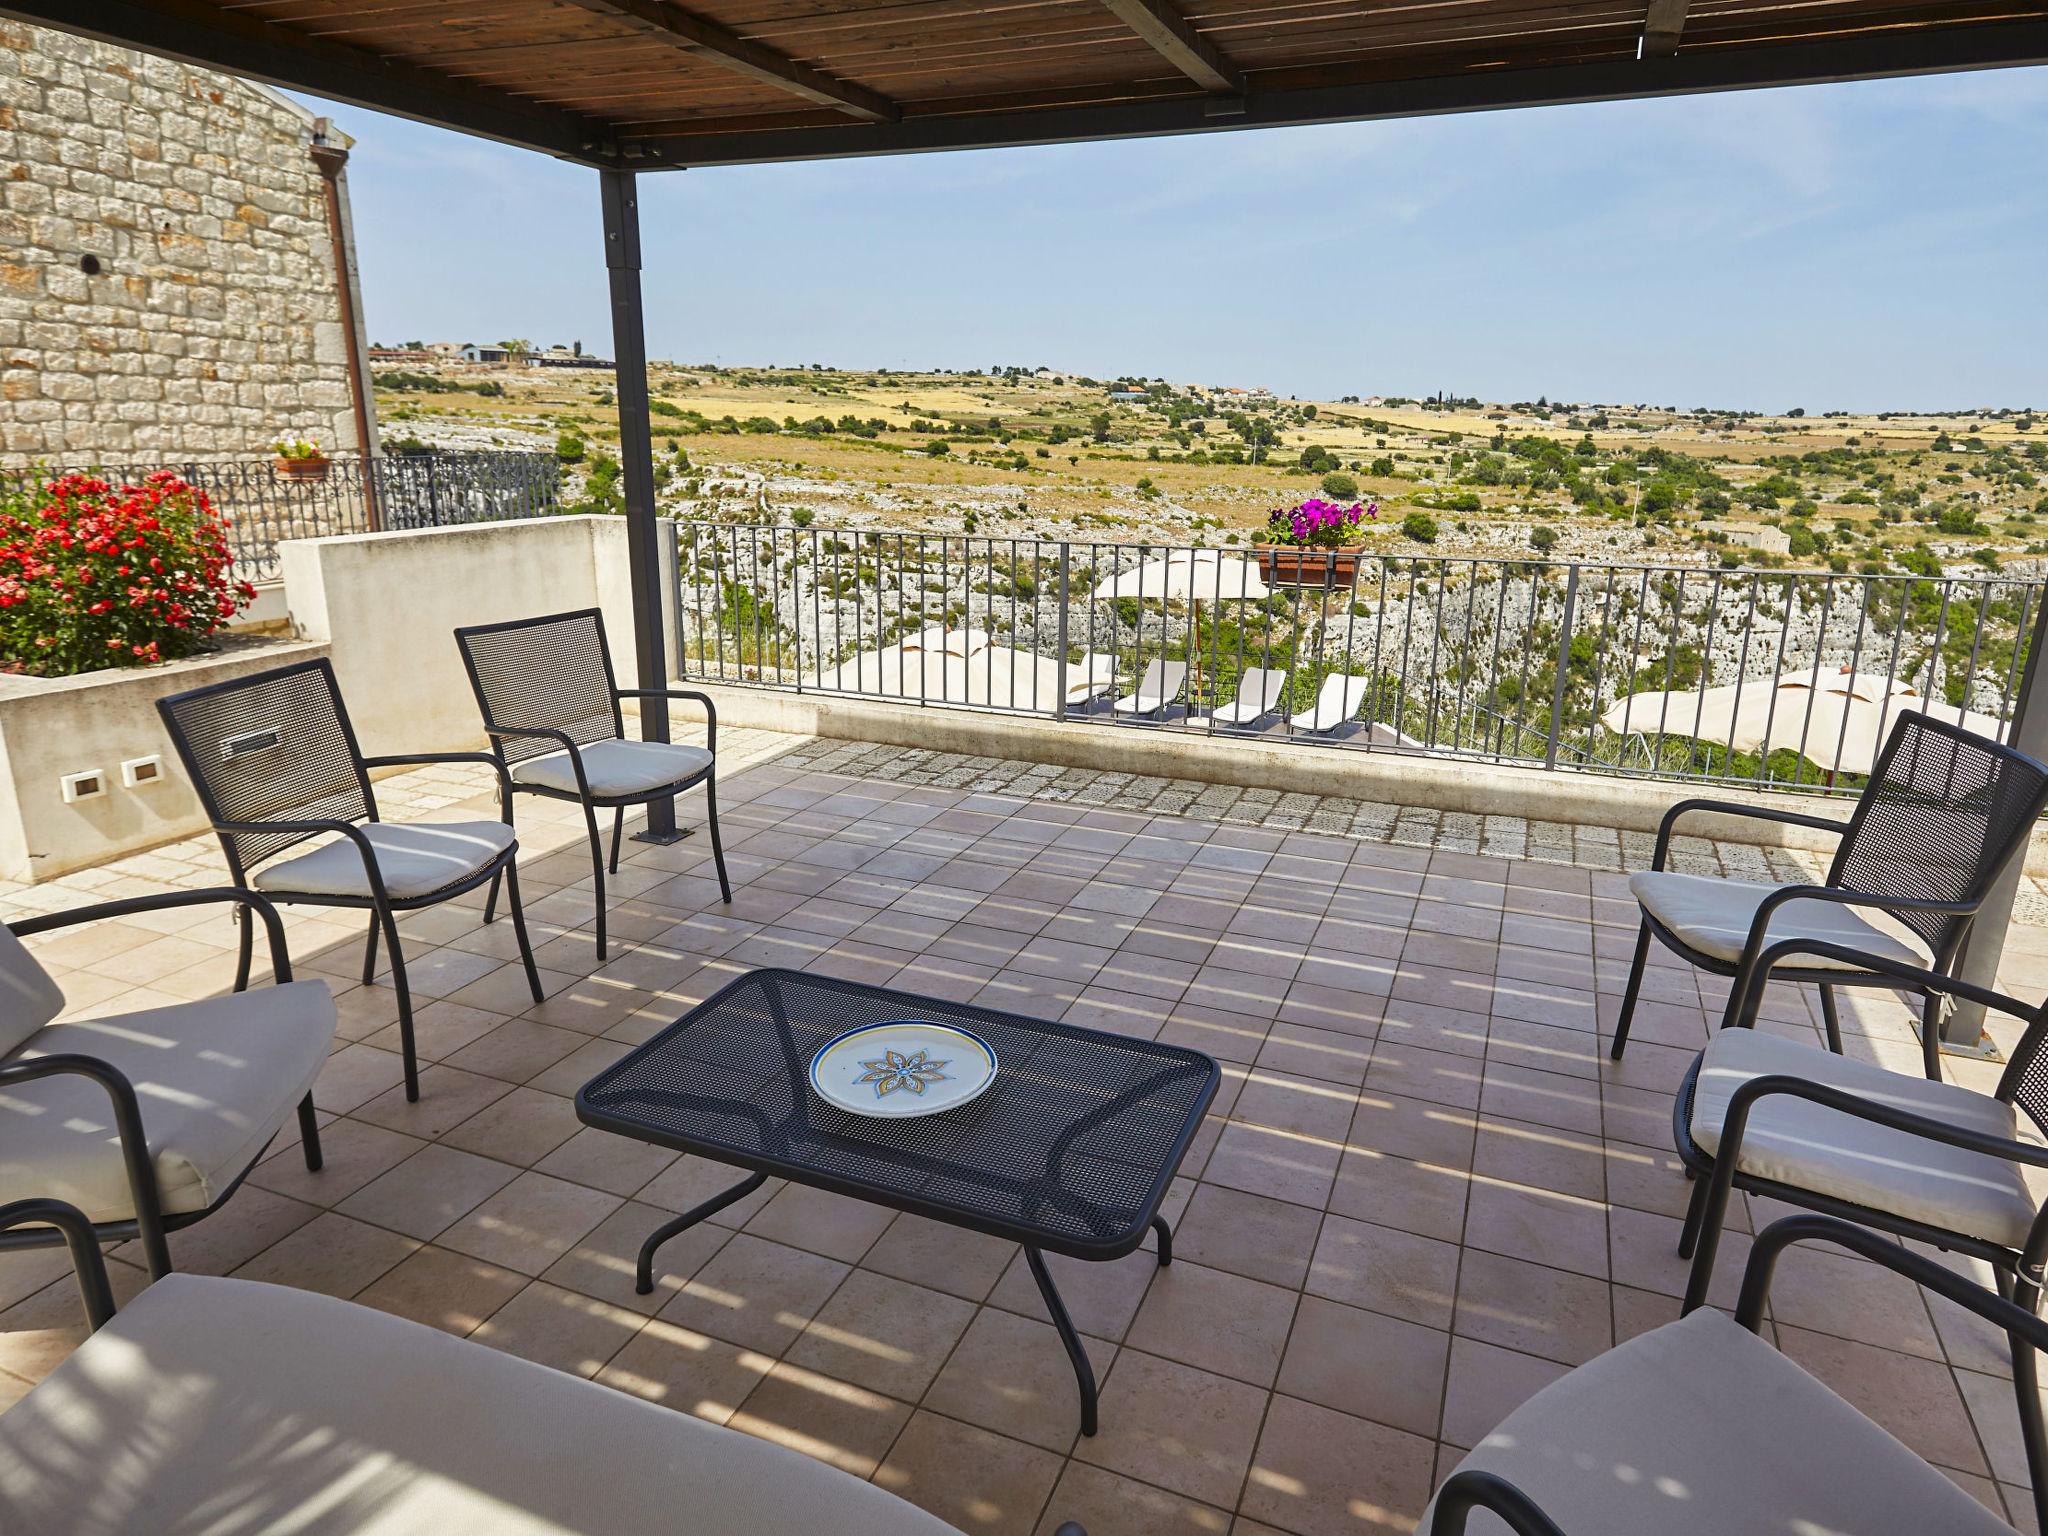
[1701,1428]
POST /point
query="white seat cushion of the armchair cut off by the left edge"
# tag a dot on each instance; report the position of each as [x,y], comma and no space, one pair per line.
[216,1080]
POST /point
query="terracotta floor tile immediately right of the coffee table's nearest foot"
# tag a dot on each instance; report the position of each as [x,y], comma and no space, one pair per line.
[1179,1428]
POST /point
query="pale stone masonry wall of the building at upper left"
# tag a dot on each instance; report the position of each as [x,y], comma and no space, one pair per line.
[212,325]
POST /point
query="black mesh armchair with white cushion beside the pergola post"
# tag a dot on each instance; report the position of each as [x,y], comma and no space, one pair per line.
[550,703]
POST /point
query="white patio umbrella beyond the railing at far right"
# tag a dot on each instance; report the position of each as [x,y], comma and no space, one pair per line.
[1834,720]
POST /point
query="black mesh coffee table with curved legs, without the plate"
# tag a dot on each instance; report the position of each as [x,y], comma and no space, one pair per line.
[1070,1152]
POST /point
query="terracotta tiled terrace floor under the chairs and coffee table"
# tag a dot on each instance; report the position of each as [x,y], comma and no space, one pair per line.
[1422,1193]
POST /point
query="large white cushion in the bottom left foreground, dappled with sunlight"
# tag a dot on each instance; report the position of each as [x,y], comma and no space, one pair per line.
[230,1406]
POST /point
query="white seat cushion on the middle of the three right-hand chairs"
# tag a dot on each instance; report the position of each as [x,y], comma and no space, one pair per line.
[1814,1148]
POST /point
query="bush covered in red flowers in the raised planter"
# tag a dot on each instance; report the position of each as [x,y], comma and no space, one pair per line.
[112,577]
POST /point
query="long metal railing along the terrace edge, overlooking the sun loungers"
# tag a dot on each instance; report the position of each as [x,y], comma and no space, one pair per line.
[1740,677]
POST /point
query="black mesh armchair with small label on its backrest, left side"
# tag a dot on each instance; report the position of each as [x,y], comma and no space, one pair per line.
[275,763]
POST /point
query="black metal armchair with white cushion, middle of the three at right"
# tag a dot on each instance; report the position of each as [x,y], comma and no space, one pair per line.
[1908,1156]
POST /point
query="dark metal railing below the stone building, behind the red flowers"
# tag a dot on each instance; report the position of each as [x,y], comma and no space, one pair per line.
[431,490]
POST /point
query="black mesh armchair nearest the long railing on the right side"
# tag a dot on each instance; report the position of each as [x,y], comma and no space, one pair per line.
[1936,822]
